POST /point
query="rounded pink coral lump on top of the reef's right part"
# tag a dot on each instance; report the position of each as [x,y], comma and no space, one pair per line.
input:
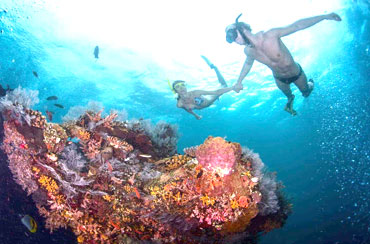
[216,154]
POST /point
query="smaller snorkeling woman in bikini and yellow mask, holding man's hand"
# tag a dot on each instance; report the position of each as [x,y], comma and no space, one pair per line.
[198,99]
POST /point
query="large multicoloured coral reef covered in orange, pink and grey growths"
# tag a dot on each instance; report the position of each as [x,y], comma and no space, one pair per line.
[122,182]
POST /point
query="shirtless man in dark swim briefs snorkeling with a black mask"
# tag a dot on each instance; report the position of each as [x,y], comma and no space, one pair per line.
[267,48]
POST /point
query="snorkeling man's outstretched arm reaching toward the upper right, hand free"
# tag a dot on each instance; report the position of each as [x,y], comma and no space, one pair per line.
[303,24]
